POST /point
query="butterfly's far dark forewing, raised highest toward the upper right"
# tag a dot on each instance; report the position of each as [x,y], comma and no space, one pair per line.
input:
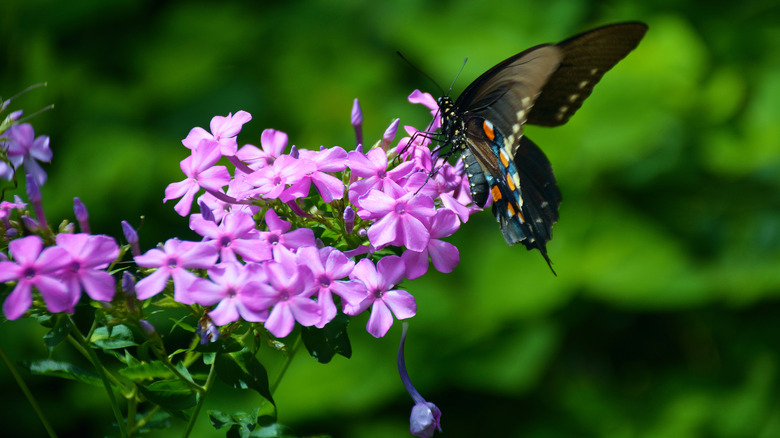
[586,57]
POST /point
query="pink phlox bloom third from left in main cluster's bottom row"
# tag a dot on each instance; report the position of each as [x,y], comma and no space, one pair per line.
[290,290]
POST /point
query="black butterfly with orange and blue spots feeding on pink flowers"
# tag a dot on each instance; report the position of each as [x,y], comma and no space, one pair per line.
[544,85]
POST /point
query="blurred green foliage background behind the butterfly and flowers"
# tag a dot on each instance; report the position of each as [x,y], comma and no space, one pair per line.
[662,319]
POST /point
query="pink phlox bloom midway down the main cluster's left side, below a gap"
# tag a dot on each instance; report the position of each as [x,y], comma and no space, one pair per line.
[235,235]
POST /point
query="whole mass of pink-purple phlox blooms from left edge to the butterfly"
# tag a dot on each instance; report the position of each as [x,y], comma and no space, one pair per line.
[272,251]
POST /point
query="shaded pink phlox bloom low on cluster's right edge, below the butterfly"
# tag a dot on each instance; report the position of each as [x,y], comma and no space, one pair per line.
[444,255]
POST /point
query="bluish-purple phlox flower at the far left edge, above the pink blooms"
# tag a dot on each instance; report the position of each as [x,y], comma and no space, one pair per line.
[23,147]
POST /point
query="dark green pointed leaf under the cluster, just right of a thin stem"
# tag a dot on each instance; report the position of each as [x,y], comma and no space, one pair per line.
[241,370]
